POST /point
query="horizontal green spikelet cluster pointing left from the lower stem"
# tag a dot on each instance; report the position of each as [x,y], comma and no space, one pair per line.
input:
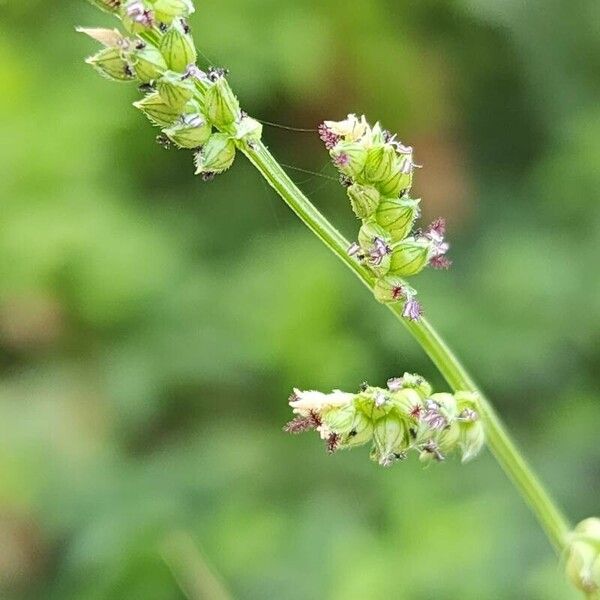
[405,416]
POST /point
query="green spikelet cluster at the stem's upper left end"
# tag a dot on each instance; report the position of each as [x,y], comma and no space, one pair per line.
[195,109]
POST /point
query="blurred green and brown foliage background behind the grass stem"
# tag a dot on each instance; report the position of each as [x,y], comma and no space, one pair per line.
[152,326]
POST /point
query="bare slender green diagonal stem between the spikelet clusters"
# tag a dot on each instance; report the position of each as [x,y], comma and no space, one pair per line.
[507,454]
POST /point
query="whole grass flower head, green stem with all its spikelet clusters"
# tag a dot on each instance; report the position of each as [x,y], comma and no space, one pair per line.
[197,110]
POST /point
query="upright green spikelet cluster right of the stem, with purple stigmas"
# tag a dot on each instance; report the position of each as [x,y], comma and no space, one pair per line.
[377,171]
